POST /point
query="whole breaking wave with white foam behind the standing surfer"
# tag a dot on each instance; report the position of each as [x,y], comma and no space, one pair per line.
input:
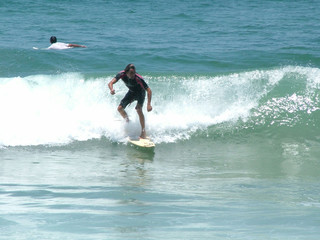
[59,109]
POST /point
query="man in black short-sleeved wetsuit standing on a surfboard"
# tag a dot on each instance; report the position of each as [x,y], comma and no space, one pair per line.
[137,91]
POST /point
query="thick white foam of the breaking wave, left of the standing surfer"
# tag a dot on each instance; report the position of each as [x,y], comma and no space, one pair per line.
[56,109]
